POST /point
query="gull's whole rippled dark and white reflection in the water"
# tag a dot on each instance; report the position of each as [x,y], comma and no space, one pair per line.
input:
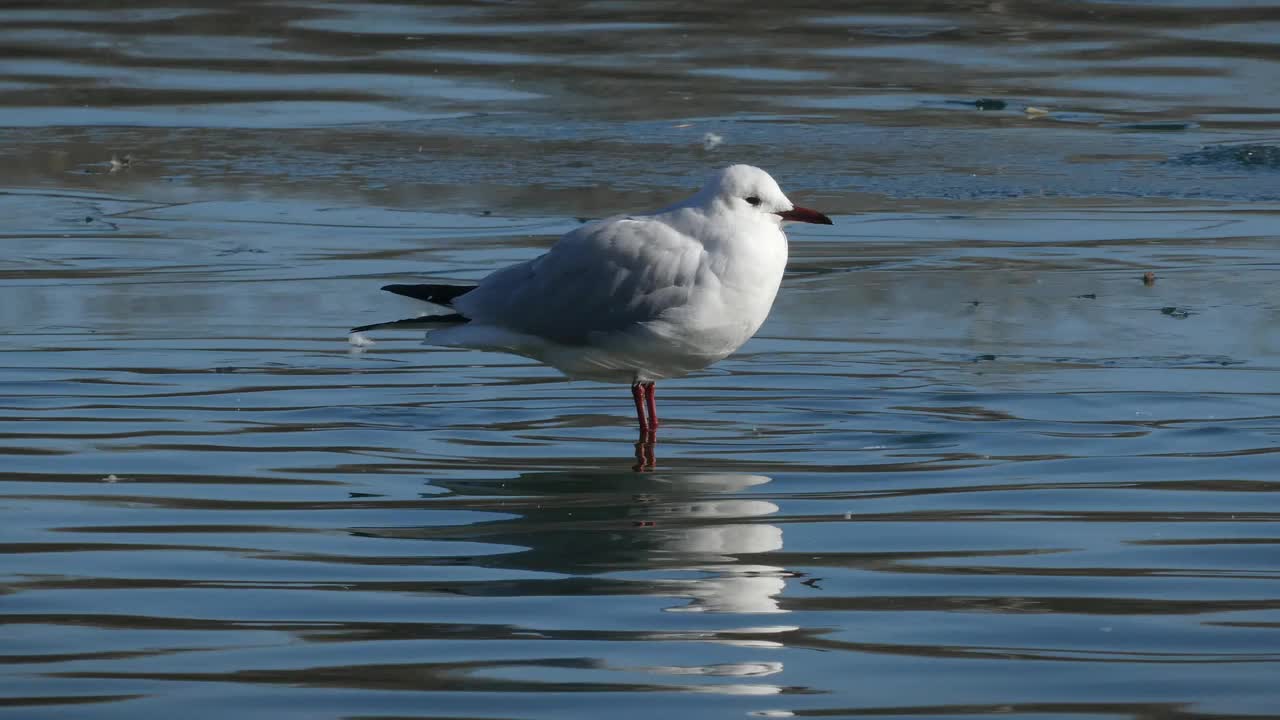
[602,544]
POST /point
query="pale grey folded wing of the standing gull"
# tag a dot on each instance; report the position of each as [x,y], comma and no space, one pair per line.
[601,279]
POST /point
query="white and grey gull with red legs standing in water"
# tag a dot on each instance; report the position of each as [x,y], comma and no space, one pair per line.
[633,299]
